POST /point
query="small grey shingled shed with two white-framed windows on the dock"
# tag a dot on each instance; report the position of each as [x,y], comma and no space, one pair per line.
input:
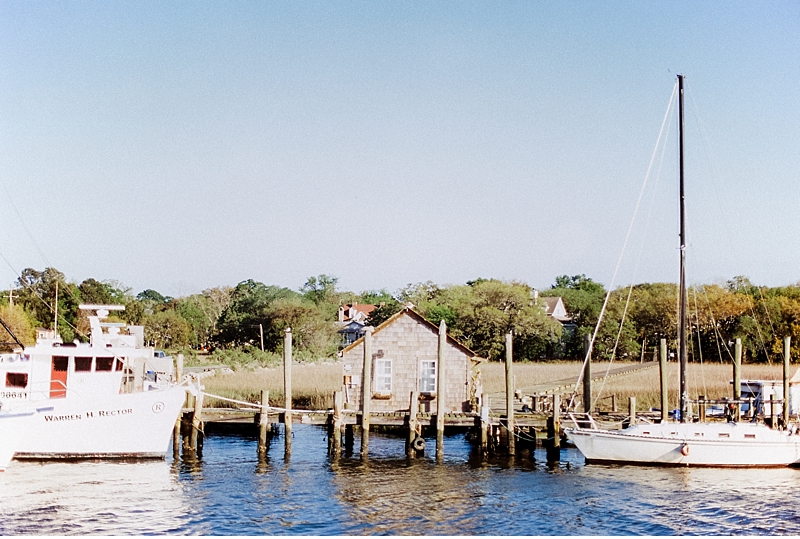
[405,359]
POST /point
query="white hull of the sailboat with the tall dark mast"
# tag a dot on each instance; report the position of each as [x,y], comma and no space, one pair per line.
[690,444]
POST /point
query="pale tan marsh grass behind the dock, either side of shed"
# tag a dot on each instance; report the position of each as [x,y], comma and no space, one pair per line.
[313,384]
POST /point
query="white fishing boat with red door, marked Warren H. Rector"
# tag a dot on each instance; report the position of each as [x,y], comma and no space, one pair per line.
[112,397]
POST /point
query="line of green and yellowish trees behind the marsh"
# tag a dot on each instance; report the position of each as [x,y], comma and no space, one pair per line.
[252,316]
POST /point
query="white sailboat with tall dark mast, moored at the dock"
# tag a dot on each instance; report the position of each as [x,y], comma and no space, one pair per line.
[731,444]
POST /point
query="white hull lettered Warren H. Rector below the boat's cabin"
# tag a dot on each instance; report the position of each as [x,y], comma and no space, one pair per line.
[126,425]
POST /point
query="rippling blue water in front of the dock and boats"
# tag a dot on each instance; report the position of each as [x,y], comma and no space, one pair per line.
[230,493]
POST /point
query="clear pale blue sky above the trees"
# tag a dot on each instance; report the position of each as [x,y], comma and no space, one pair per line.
[180,146]
